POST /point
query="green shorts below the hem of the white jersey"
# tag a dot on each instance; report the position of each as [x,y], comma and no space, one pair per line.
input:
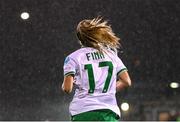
[96,115]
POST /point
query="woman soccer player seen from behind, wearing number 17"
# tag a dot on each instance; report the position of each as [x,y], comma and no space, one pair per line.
[94,69]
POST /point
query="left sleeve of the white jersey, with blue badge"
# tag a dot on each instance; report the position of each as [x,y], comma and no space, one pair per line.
[69,66]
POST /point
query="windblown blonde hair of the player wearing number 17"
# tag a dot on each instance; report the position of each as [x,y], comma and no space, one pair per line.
[96,33]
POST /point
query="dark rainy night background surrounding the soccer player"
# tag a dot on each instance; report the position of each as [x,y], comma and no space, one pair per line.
[32,53]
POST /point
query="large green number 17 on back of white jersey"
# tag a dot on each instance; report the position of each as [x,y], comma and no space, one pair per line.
[89,69]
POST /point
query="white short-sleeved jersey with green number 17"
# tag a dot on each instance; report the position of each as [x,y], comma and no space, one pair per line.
[95,76]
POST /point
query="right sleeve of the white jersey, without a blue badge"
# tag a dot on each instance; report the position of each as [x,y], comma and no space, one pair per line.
[120,66]
